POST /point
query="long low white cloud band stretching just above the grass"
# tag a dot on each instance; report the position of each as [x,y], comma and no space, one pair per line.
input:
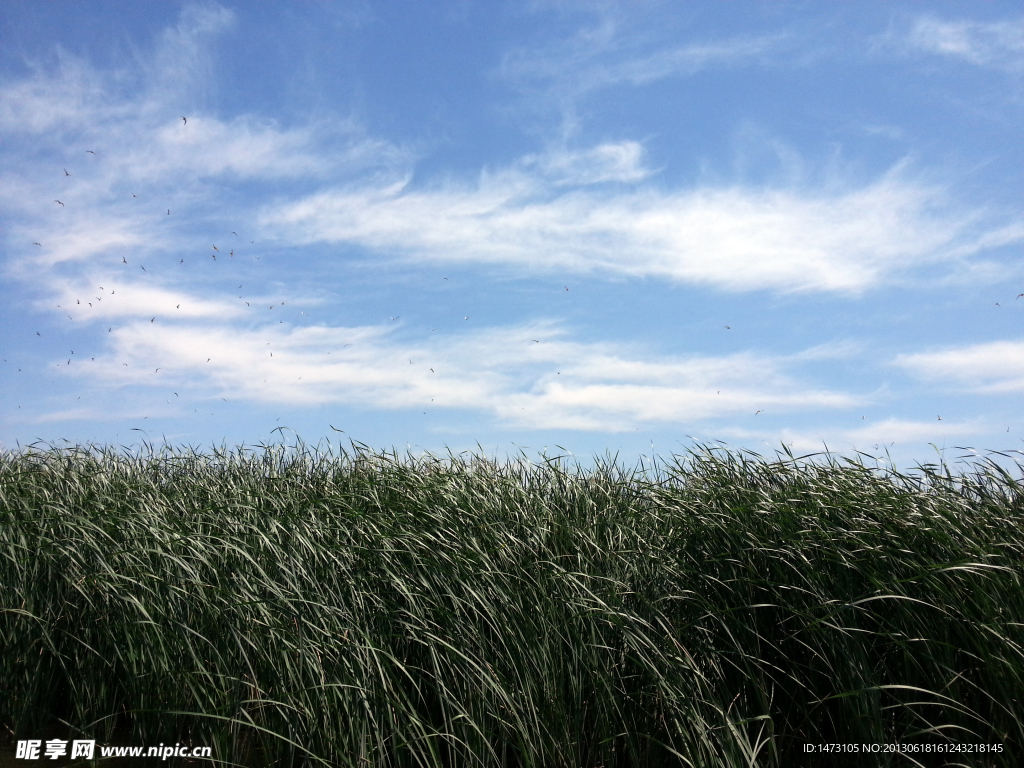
[527,377]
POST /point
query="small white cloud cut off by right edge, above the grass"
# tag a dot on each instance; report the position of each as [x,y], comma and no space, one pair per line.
[993,367]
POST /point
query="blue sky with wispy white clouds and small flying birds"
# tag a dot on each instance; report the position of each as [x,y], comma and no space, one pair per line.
[579,229]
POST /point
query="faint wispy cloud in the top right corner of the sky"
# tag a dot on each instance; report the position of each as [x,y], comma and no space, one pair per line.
[997,46]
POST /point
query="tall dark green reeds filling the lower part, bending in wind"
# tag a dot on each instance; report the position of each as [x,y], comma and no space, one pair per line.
[369,611]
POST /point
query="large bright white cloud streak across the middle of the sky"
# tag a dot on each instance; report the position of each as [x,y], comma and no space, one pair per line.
[733,238]
